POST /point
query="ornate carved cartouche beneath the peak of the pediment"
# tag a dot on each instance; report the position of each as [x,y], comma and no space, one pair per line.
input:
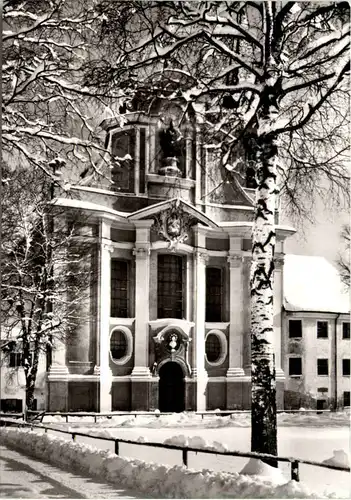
[173,225]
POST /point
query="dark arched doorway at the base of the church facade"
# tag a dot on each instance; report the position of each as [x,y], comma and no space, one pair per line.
[171,388]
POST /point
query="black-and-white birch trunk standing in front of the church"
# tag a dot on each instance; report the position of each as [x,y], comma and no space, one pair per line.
[263,388]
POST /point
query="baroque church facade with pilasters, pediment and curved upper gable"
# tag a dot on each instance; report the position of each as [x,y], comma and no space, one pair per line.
[169,319]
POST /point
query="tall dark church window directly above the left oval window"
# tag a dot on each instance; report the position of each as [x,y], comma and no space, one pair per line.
[119,288]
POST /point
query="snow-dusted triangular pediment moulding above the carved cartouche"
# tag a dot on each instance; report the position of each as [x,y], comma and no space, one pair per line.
[171,205]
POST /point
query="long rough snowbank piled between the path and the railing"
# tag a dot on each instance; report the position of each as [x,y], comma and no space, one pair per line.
[148,478]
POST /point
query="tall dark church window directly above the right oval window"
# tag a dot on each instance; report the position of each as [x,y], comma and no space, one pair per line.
[214,294]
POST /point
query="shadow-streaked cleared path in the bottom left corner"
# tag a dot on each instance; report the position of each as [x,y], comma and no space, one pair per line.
[26,477]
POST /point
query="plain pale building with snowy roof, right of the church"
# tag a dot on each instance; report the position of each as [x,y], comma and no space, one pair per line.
[316,334]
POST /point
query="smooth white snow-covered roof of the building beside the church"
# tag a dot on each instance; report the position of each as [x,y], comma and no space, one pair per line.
[313,284]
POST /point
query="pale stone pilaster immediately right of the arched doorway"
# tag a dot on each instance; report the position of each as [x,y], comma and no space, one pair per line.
[199,371]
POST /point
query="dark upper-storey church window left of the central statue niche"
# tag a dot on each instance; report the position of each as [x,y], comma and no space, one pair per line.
[122,173]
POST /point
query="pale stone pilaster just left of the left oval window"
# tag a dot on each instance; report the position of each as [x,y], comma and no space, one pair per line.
[105,309]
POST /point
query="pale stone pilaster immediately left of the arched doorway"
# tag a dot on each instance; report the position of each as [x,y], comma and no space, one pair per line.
[141,375]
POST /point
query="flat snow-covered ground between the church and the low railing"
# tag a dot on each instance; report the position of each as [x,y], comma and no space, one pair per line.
[309,436]
